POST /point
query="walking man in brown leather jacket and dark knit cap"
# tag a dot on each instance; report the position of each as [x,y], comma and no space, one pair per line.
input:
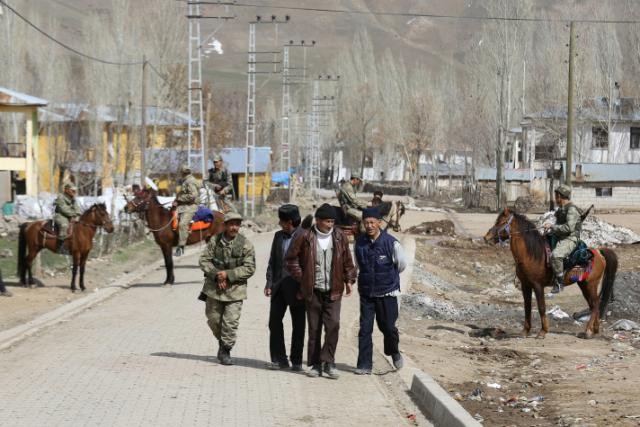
[319,259]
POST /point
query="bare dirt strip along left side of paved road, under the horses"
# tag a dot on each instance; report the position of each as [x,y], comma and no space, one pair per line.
[53,288]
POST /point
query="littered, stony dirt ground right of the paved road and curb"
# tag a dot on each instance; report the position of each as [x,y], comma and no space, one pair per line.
[460,323]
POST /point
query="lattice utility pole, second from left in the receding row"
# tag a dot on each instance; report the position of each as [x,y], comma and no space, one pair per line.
[250,140]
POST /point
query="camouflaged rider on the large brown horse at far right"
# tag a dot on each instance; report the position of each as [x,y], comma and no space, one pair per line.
[567,230]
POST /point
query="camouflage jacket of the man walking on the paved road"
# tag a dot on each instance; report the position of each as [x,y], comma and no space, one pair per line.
[237,258]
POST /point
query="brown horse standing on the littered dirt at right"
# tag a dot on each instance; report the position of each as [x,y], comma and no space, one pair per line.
[529,251]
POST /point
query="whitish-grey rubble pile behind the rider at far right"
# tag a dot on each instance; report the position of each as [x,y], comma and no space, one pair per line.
[596,232]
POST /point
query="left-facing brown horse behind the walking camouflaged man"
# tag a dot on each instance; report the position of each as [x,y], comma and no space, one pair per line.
[159,221]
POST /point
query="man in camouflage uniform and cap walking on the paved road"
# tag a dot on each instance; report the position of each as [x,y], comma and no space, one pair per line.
[228,262]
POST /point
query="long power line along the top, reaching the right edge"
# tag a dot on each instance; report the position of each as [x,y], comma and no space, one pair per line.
[428,15]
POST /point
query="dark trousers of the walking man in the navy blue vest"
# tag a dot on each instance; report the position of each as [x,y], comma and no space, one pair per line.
[385,312]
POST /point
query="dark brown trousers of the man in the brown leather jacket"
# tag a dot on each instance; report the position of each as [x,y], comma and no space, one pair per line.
[322,312]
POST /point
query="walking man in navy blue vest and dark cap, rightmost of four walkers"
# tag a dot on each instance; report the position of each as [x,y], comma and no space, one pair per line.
[380,261]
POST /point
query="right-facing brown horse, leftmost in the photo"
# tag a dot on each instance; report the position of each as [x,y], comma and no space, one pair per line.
[38,235]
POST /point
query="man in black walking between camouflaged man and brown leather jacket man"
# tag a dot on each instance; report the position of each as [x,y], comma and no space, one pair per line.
[282,289]
